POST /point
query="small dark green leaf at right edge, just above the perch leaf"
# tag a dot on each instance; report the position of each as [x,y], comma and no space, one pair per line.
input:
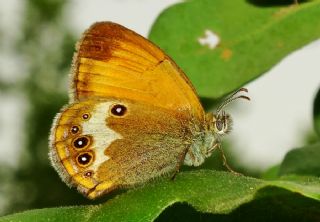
[302,161]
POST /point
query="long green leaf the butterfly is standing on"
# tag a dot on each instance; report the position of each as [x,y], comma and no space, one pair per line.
[206,191]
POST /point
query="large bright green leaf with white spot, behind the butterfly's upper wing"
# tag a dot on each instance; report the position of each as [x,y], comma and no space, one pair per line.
[252,39]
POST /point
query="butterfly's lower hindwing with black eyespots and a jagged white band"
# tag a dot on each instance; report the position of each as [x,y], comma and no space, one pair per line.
[119,149]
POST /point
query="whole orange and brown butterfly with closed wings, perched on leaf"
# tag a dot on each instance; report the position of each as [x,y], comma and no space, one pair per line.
[133,115]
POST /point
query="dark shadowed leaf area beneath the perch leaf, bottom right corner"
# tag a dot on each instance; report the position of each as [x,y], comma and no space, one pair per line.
[282,205]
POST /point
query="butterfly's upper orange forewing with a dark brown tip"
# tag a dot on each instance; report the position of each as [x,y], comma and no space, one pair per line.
[113,61]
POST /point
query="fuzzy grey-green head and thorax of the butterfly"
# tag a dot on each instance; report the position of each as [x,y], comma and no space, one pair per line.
[206,137]
